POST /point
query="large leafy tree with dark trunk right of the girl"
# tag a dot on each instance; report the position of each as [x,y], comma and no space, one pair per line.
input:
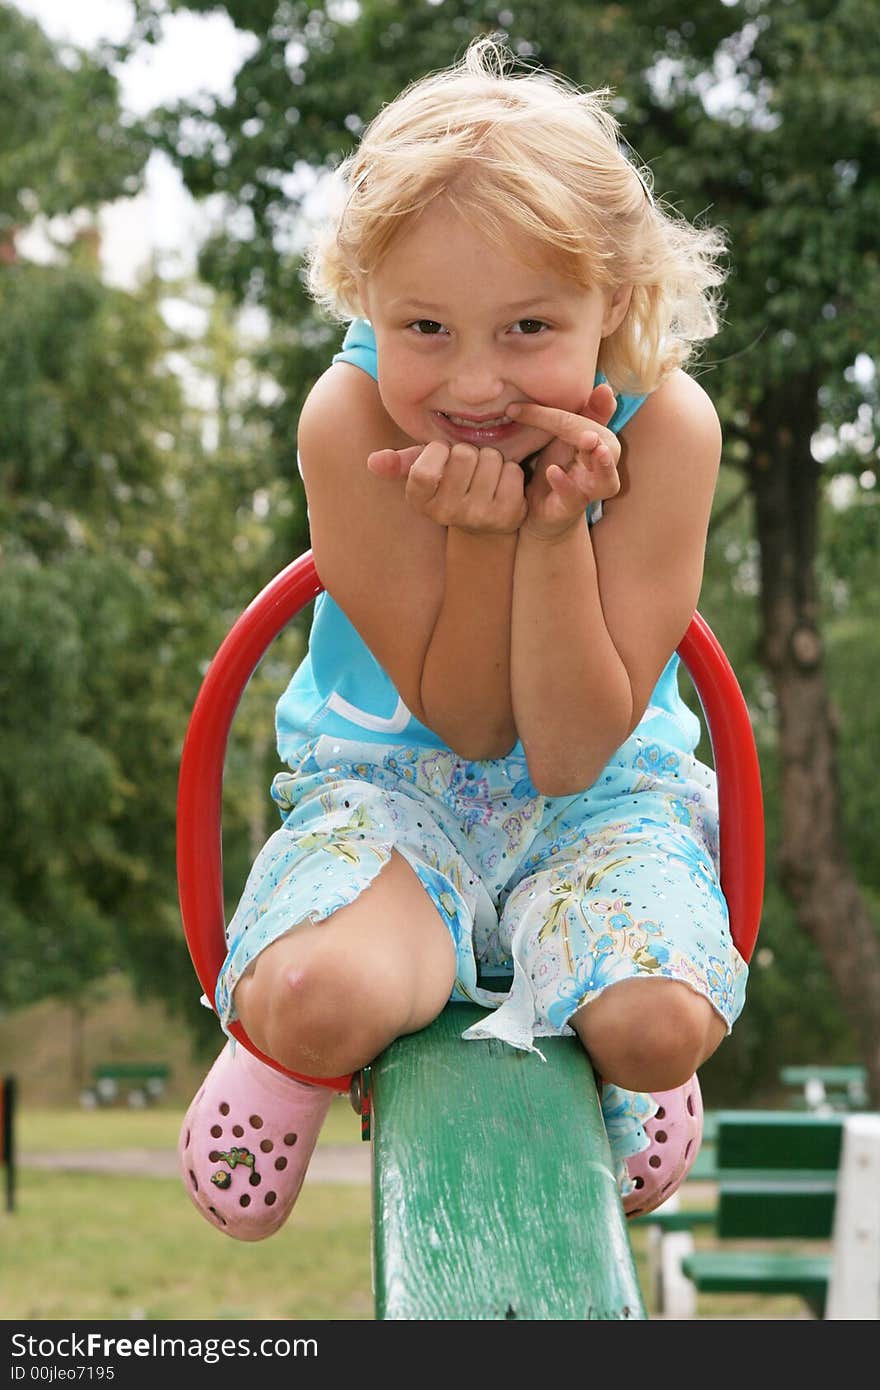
[761,116]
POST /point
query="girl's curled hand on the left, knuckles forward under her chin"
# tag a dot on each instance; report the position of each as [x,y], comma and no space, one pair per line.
[459,486]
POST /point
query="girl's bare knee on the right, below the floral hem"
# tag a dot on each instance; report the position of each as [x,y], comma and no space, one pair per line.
[650,1035]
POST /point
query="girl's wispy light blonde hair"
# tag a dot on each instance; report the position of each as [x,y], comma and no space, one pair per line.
[532,158]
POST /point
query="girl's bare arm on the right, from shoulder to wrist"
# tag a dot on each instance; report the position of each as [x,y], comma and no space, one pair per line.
[598,614]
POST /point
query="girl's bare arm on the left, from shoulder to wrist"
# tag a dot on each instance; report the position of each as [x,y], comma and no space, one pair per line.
[432,601]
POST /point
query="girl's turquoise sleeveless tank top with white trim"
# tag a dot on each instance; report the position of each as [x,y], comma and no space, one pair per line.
[341,692]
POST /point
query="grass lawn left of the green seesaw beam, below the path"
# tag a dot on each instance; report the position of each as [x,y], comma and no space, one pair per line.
[84,1248]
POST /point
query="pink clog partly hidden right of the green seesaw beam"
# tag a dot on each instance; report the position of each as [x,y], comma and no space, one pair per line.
[675,1134]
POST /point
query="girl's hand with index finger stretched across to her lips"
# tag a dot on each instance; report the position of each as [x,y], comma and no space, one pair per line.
[579,465]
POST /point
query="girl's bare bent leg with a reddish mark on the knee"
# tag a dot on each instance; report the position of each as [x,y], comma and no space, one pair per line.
[327,997]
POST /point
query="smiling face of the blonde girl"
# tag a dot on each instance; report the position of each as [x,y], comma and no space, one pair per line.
[464,330]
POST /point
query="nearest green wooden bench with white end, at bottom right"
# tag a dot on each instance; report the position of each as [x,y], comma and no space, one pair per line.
[797,1179]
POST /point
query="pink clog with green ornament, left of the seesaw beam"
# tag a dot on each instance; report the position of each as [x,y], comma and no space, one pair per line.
[247,1142]
